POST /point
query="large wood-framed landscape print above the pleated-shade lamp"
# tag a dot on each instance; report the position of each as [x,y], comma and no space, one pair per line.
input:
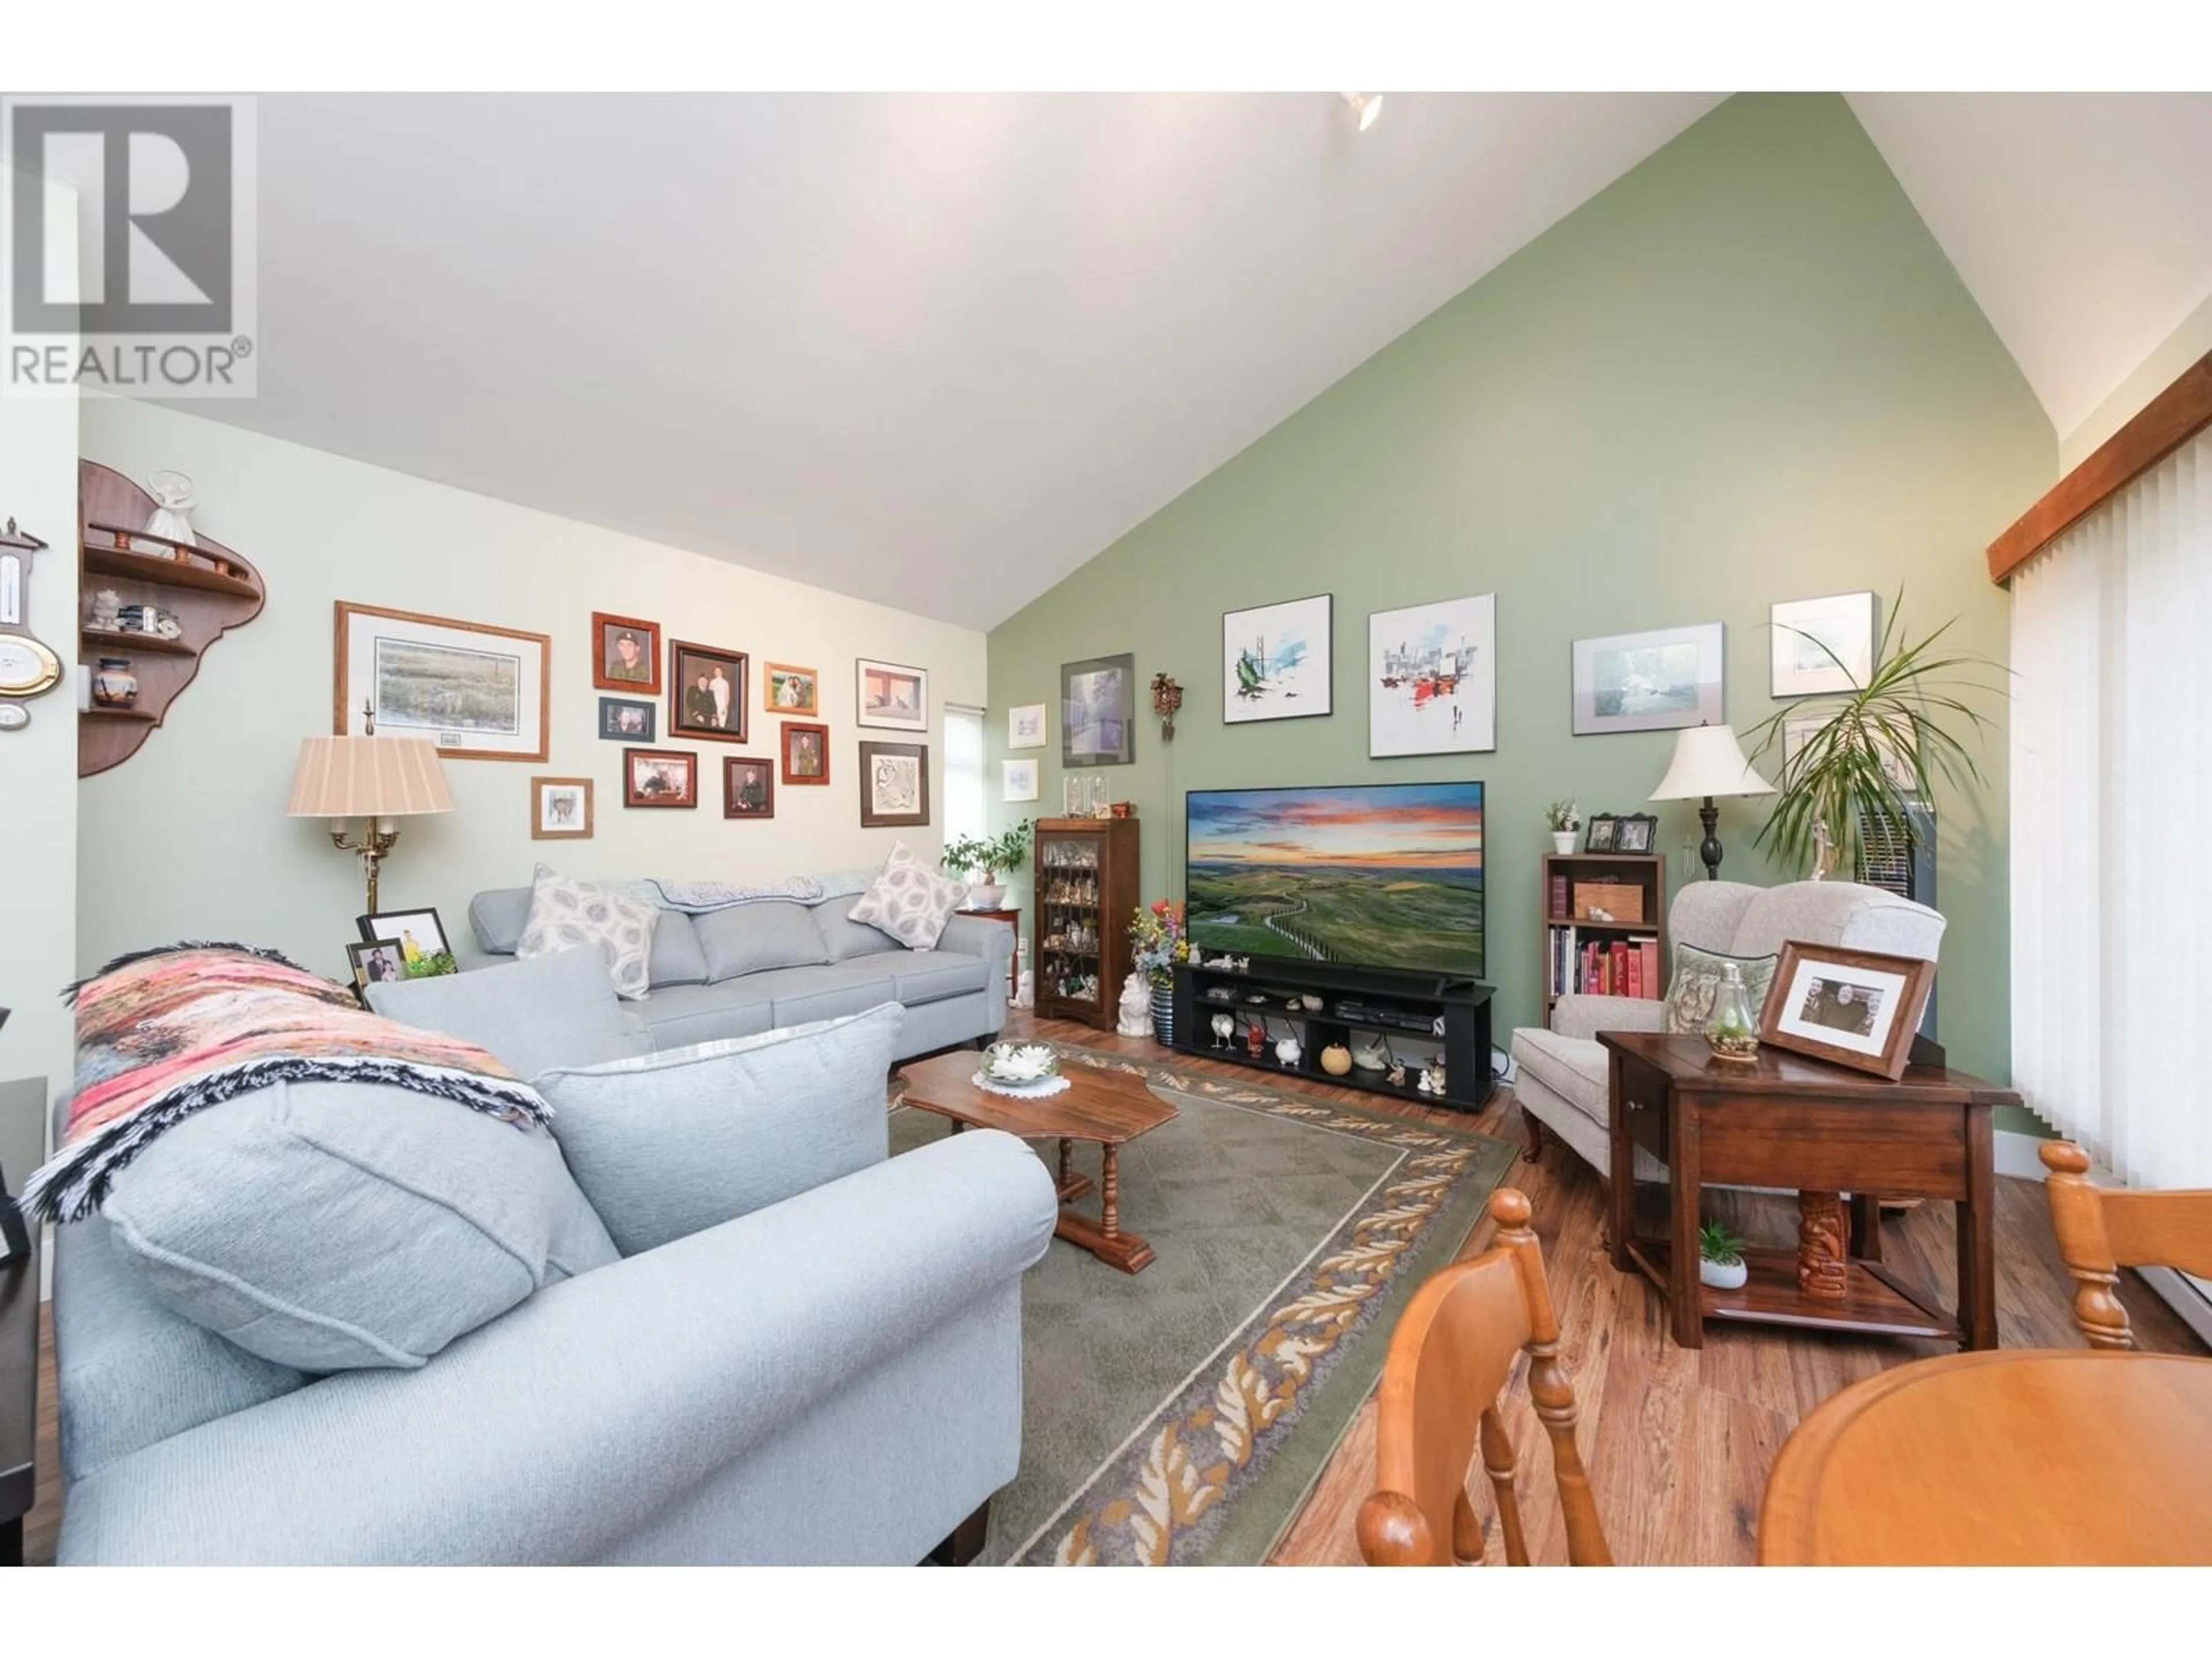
[479,693]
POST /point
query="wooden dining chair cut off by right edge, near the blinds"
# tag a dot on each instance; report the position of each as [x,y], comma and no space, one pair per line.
[2109,1229]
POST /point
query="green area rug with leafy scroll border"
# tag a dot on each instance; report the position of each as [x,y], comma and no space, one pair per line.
[1182,1415]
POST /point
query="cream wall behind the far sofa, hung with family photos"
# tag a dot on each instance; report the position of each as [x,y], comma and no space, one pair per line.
[189,837]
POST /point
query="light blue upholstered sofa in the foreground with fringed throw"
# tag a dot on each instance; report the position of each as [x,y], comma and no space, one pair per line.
[831,1377]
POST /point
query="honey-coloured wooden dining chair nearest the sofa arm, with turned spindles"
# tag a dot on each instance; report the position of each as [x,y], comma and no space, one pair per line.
[1448,1366]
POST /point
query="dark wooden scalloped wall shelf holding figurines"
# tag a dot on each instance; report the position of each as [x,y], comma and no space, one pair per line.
[205,585]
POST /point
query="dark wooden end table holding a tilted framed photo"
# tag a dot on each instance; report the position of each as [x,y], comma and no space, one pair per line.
[1793,1123]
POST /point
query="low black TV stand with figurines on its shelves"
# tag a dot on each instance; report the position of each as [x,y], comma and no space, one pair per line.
[1415,1014]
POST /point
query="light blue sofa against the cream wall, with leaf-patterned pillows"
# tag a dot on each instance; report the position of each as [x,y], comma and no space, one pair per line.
[780,963]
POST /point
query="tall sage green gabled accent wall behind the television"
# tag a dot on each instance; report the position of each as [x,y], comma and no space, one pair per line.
[1740,375]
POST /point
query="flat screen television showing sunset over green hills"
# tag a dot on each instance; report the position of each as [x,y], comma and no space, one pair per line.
[1386,875]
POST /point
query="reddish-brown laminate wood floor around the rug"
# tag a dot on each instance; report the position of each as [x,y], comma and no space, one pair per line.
[1678,1441]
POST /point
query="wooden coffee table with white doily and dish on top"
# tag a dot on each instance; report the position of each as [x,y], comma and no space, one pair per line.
[1107,1107]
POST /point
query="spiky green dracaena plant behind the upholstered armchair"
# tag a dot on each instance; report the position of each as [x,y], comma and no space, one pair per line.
[1853,782]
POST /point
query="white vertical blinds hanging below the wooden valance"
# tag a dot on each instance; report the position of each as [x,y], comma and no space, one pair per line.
[2114,826]
